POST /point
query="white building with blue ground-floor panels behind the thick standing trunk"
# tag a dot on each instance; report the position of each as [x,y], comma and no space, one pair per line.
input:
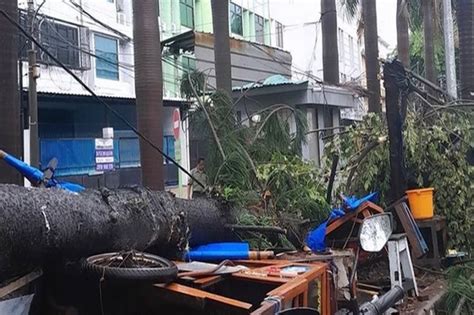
[93,38]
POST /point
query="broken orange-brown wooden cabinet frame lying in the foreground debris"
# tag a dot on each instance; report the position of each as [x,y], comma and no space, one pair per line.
[264,287]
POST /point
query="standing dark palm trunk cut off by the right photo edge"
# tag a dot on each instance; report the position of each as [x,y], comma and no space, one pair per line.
[465,20]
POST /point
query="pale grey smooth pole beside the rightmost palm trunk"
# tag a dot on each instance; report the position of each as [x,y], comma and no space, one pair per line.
[449,49]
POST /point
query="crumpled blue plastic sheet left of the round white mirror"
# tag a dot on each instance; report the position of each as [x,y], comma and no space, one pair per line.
[316,239]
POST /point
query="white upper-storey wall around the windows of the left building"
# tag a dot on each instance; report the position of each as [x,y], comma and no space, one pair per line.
[55,80]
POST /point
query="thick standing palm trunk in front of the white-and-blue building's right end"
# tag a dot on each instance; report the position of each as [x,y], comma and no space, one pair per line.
[149,89]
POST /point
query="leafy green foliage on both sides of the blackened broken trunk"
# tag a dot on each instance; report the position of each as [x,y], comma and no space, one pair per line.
[436,156]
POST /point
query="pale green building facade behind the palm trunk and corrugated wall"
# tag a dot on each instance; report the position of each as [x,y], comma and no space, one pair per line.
[249,22]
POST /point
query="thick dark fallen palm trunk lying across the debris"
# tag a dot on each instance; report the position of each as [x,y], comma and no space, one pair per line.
[39,225]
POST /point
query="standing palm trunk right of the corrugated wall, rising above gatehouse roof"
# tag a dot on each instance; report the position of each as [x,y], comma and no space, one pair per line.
[330,49]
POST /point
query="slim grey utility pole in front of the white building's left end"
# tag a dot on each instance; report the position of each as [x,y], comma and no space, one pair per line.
[33,74]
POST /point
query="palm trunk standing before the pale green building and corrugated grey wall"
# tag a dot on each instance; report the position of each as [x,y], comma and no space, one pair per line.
[220,23]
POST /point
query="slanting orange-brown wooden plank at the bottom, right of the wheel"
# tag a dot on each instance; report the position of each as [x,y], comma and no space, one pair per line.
[203,296]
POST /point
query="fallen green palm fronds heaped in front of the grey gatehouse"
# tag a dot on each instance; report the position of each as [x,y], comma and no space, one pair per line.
[259,165]
